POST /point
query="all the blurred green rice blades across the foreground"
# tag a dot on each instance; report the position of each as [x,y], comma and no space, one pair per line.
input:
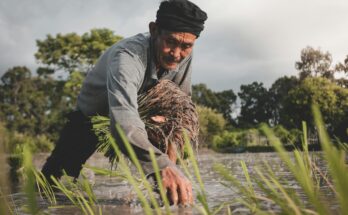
[263,194]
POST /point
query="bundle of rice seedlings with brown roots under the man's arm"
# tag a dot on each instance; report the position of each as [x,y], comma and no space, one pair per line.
[167,112]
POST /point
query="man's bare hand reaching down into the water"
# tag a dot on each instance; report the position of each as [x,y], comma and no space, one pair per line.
[179,188]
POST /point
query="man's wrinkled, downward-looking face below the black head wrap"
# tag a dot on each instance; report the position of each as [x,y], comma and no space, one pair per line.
[172,47]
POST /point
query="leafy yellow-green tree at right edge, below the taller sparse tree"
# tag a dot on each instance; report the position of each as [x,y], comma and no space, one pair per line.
[331,98]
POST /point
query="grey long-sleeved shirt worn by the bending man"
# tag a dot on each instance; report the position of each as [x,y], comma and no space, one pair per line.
[111,88]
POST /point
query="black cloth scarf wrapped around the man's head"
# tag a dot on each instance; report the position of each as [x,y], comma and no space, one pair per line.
[181,16]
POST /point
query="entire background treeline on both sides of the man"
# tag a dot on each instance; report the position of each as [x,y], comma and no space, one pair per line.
[33,104]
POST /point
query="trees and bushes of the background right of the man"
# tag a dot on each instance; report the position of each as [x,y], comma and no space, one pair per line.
[283,106]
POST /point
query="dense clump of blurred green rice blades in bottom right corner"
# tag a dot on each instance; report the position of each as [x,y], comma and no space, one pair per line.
[303,169]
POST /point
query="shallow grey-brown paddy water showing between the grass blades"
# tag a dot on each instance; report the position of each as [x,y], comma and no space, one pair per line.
[115,196]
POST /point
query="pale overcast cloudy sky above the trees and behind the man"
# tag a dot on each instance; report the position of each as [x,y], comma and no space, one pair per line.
[243,40]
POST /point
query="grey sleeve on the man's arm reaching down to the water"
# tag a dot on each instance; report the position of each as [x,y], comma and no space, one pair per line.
[124,75]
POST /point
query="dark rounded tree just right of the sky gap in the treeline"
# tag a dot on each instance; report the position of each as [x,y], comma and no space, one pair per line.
[255,105]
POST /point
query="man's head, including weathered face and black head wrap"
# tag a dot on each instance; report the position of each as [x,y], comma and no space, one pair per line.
[178,25]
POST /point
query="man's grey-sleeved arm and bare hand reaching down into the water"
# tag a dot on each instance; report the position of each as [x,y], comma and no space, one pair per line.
[123,77]
